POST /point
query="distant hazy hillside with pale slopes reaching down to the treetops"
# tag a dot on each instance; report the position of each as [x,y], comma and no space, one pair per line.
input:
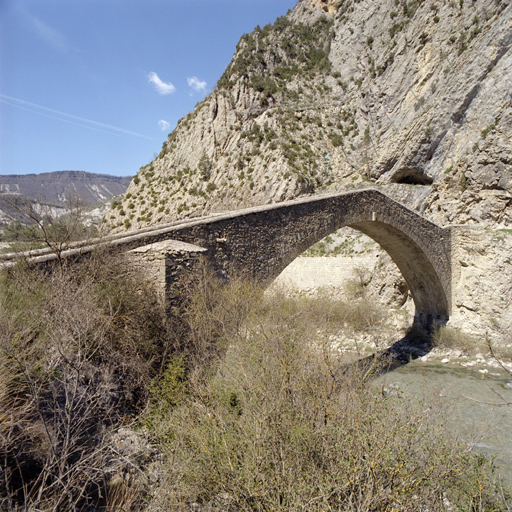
[55,188]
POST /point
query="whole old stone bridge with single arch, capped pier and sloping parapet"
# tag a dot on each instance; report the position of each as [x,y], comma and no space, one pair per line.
[262,241]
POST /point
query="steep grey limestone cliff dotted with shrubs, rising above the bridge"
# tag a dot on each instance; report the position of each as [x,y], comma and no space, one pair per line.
[348,93]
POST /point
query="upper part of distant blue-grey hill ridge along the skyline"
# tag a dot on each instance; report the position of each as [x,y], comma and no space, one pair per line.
[55,187]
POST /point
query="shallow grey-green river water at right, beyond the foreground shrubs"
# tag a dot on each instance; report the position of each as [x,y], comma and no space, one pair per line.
[468,400]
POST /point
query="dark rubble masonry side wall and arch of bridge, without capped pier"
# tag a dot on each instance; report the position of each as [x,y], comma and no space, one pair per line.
[264,240]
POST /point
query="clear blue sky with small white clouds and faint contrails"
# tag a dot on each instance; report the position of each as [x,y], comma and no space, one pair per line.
[96,85]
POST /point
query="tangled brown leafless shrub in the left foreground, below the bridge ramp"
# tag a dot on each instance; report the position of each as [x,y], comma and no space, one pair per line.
[78,349]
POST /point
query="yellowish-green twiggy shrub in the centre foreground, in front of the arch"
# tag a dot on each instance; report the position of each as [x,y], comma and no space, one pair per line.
[282,425]
